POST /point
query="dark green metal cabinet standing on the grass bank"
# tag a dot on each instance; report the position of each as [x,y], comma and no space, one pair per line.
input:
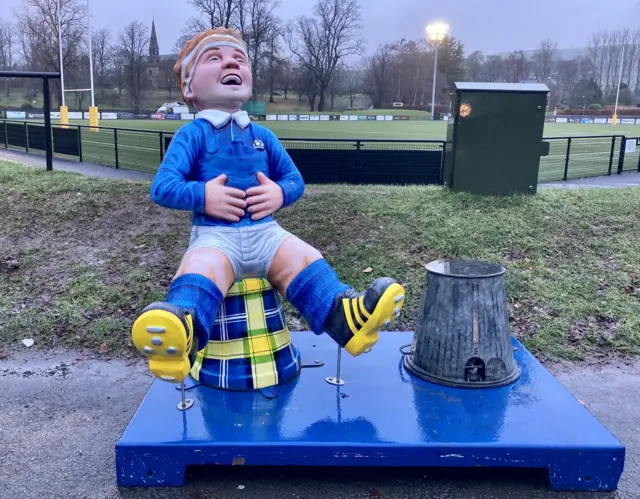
[494,138]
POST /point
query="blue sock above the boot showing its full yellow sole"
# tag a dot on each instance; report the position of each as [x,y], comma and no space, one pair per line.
[201,297]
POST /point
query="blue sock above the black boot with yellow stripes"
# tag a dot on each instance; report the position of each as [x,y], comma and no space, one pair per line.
[313,291]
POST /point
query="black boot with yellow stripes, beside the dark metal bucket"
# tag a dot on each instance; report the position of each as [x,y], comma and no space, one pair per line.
[356,317]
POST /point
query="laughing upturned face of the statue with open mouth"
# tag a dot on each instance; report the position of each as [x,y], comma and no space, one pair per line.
[221,80]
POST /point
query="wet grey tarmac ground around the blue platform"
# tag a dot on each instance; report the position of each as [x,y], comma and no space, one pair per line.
[63,413]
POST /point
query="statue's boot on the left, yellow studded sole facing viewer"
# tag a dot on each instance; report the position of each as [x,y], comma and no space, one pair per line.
[165,335]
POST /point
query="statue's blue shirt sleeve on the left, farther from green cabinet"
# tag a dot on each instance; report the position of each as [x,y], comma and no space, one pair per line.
[172,187]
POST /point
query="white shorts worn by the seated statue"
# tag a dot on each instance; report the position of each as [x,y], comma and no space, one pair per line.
[250,250]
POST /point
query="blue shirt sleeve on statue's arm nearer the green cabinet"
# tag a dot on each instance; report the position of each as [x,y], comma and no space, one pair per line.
[282,169]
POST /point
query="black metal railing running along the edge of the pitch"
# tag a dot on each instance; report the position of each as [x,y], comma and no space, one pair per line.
[393,161]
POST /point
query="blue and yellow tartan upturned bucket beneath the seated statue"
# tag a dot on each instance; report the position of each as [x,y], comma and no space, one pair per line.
[250,345]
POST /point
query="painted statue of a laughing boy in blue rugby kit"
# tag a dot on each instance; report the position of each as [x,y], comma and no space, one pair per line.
[233,175]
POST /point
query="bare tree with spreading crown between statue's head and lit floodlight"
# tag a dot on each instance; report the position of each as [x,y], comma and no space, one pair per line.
[322,42]
